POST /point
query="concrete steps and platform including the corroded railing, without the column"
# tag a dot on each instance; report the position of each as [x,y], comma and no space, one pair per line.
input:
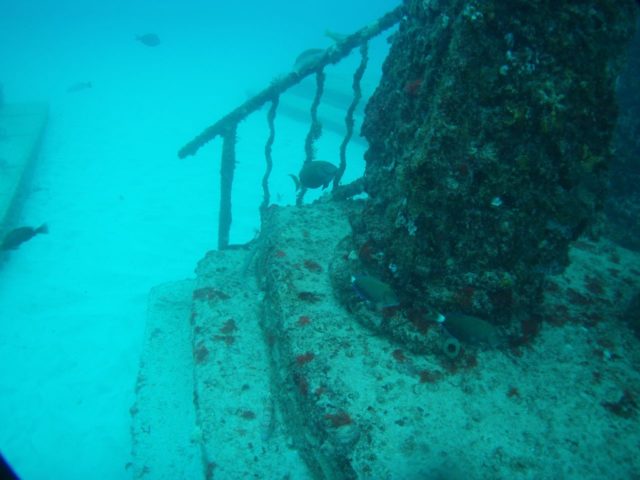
[259,369]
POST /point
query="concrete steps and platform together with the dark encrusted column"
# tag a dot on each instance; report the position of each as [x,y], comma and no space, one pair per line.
[489,150]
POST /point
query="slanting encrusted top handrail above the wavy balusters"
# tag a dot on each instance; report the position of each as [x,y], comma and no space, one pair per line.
[331,55]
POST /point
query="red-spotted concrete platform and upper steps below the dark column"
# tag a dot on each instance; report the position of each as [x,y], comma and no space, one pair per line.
[304,384]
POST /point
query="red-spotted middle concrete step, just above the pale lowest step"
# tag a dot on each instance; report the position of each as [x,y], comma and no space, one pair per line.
[242,430]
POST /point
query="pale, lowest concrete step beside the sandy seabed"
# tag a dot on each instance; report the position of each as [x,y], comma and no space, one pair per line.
[166,437]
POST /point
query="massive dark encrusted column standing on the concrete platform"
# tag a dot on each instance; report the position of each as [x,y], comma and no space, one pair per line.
[490,141]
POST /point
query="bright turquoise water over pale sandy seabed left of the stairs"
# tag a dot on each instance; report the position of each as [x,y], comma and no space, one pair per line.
[124,213]
